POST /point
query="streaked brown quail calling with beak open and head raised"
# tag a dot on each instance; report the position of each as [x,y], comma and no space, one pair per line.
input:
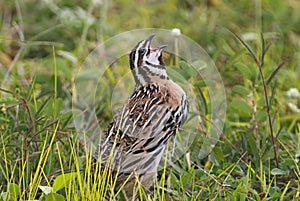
[137,136]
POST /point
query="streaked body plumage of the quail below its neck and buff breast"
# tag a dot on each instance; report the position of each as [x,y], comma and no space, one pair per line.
[144,128]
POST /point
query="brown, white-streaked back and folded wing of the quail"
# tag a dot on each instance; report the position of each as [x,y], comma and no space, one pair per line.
[134,123]
